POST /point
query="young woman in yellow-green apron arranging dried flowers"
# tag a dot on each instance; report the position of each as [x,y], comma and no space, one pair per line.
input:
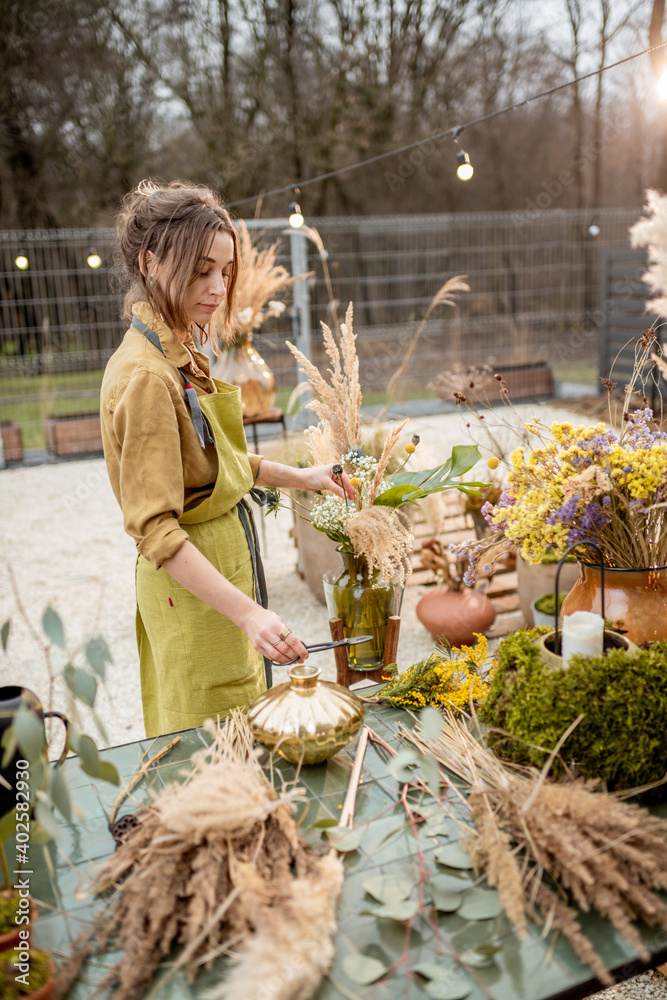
[177,459]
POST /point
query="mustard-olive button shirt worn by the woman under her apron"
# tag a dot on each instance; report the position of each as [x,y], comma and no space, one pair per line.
[156,465]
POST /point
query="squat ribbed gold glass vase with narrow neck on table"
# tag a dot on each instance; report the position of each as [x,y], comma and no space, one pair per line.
[306,720]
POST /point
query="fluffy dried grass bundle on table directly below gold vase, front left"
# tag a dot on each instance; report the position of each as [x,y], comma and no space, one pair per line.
[218,865]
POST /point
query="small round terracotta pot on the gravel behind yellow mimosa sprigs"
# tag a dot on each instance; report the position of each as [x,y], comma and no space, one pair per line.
[456,615]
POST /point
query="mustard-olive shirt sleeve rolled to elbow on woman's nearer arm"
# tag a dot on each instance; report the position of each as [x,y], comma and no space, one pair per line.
[151,485]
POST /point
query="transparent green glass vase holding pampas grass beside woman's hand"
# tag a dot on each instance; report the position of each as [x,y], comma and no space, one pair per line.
[363,602]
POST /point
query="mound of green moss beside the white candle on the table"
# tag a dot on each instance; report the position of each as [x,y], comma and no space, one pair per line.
[622,697]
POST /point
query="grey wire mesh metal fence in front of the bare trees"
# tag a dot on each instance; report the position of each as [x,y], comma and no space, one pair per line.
[534,281]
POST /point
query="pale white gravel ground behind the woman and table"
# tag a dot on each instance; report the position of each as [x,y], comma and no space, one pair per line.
[62,541]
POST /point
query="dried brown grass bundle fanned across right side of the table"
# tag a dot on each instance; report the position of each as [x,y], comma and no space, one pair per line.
[600,852]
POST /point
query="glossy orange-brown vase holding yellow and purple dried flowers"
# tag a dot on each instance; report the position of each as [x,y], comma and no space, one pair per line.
[636,597]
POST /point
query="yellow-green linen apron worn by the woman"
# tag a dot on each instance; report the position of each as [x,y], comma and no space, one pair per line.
[195,663]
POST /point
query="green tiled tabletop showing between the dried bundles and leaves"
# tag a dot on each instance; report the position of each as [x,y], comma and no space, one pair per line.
[533,969]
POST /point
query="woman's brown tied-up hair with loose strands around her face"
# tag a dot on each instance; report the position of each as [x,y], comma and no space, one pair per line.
[177,223]
